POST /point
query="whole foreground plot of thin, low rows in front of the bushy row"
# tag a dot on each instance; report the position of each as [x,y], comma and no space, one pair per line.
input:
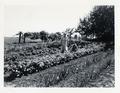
[88,68]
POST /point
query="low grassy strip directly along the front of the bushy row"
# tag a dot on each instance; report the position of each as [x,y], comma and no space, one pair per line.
[54,75]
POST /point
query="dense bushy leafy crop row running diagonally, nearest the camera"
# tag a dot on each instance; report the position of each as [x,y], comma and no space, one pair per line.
[15,69]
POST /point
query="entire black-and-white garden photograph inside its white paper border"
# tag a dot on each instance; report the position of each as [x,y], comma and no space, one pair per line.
[59,45]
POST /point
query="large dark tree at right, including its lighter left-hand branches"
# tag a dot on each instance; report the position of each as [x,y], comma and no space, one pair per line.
[99,23]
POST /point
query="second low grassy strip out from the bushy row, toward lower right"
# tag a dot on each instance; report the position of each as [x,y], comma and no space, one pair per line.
[82,78]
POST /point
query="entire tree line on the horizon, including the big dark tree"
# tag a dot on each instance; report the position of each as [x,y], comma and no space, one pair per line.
[99,24]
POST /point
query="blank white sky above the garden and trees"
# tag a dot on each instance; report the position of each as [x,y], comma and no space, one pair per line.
[48,16]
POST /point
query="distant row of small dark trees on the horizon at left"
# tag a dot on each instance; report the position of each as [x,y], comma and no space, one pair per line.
[43,35]
